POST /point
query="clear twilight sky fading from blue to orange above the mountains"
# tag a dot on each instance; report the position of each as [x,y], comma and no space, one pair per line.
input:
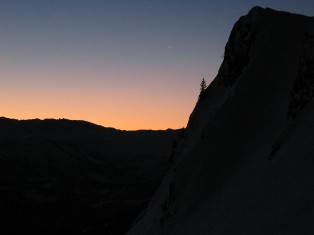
[128,64]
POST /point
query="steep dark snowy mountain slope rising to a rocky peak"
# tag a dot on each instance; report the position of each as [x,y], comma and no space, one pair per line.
[246,165]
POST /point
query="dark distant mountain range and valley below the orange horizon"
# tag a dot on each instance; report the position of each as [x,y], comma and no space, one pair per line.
[61,176]
